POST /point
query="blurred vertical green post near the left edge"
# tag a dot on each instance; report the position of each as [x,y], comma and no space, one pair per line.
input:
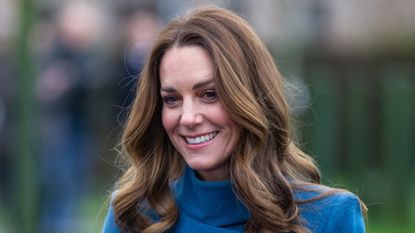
[25,189]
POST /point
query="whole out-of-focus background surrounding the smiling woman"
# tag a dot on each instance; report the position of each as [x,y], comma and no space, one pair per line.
[68,70]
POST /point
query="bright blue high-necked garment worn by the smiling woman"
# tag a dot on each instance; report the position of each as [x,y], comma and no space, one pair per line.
[212,207]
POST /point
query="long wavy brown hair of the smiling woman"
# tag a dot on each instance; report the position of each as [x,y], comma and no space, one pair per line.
[265,162]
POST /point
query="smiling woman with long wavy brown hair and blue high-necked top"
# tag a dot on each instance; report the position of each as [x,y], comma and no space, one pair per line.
[209,142]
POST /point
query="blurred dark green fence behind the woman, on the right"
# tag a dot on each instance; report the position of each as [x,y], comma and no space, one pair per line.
[362,132]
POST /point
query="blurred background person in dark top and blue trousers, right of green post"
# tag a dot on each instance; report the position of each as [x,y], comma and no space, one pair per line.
[72,70]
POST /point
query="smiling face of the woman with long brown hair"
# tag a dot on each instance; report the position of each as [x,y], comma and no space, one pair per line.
[193,116]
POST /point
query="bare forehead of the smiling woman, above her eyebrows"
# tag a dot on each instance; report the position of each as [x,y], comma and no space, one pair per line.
[189,63]
